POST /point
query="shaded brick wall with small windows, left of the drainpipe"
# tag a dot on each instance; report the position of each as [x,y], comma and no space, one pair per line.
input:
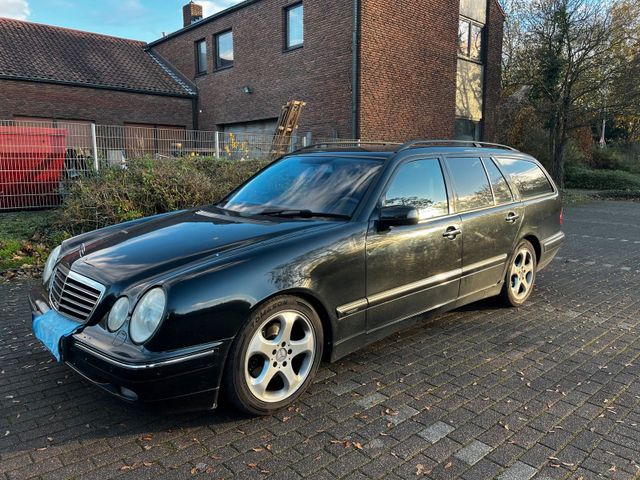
[319,73]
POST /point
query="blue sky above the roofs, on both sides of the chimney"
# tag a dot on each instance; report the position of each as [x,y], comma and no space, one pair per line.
[137,19]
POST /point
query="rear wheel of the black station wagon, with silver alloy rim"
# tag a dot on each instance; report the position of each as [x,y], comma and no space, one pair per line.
[519,281]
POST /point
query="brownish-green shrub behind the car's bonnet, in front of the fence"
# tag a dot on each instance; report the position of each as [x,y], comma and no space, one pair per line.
[148,187]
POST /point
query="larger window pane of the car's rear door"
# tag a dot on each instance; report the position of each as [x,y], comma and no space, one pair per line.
[471,183]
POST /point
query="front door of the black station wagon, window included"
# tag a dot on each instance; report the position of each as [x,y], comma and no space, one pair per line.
[411,269]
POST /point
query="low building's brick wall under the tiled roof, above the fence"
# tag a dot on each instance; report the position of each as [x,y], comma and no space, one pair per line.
[107,107]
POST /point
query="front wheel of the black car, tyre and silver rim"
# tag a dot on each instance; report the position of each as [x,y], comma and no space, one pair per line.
[235,382]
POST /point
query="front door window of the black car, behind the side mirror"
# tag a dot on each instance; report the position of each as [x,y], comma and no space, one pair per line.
[419,184]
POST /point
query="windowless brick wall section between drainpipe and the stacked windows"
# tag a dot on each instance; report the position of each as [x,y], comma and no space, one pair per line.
[408,69]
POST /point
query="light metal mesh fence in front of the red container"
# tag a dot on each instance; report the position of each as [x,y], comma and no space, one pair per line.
[39,160]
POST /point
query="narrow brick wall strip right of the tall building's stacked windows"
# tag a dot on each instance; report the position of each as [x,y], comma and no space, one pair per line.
[495,24]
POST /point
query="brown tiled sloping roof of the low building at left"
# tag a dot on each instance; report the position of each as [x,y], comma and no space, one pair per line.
[44,53]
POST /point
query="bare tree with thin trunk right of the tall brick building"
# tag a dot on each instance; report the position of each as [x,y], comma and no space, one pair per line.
[566,53]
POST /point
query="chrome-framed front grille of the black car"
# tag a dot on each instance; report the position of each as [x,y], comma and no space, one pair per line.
[74,295]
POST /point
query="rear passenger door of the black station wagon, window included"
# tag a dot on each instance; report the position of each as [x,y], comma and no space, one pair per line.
[490,217]
